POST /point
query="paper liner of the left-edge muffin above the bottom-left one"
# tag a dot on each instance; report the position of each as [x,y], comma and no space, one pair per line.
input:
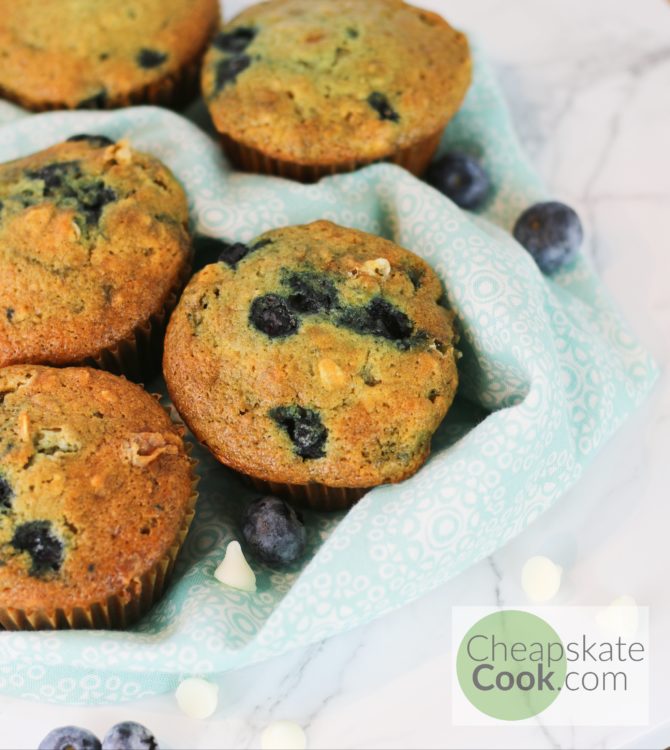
[138,357]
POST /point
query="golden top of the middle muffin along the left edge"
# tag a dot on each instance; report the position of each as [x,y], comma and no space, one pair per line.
[93,239]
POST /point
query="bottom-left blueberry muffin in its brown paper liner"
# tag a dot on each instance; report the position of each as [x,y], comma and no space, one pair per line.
[96,496]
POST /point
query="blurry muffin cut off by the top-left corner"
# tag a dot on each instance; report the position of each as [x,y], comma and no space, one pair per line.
[96,54]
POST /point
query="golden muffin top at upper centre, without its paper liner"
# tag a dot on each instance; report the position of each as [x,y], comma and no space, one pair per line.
[330,81]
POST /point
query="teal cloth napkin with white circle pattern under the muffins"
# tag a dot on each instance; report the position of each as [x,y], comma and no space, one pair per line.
[549,372]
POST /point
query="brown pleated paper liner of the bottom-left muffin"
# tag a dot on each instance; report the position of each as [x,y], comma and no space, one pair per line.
[120,610]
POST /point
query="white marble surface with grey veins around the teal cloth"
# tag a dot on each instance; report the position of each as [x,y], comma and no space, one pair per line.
[589,86]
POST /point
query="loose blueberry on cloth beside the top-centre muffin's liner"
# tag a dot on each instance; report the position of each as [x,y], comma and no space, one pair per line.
[461,178]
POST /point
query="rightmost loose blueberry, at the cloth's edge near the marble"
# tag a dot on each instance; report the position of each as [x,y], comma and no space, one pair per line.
[551,232]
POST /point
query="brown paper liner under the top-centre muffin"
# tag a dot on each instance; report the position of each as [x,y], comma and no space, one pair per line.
[414,159]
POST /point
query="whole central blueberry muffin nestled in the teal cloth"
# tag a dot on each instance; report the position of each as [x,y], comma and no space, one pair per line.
[317,359]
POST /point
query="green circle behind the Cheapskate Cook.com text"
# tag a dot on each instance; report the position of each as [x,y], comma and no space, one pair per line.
[511,665]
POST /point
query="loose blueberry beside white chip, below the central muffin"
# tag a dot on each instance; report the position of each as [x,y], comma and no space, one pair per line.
[274,531]
